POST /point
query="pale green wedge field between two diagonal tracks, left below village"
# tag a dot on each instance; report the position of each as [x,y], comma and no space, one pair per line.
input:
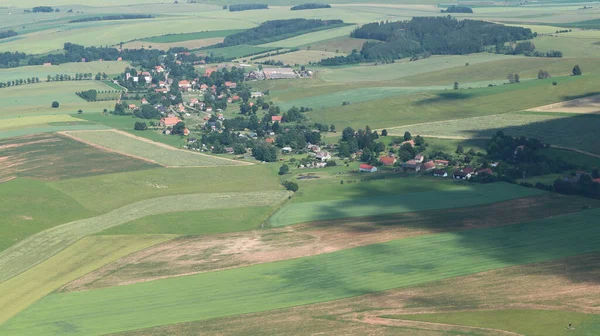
[124,143]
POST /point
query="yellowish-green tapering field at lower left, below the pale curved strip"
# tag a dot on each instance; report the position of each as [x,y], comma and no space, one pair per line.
[83,257]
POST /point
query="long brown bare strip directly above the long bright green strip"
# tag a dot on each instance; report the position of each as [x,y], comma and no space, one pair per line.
[193,255]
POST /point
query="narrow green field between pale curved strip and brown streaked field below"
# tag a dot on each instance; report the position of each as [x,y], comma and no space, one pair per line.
[195,222]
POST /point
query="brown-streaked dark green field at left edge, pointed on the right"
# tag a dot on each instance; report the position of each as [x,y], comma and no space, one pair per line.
[53,157]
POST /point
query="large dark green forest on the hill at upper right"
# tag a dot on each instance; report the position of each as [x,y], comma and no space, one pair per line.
[428,36]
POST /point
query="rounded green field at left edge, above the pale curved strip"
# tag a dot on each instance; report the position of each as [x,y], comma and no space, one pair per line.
[33,206]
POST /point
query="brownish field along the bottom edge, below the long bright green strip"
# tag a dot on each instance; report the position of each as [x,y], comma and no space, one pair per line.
[535,286]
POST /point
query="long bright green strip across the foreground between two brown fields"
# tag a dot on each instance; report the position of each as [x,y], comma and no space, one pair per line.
[308,280]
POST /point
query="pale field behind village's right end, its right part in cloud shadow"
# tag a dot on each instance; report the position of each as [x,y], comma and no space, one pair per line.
[552,128]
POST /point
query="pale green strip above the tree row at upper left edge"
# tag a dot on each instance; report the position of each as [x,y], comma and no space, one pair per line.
[40,71]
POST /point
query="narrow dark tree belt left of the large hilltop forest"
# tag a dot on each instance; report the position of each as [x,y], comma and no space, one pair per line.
[275,30]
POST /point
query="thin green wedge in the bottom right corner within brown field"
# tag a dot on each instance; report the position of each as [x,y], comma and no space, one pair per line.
[547,322]
